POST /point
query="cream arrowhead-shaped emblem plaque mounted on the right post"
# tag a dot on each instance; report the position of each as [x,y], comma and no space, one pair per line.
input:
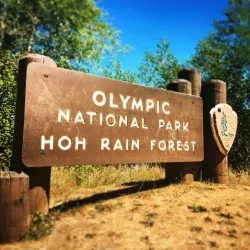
[224,126]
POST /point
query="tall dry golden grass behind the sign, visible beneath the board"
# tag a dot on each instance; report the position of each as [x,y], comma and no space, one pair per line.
[88,176]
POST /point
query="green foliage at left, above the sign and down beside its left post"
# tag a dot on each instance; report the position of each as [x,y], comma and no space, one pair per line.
[75,33]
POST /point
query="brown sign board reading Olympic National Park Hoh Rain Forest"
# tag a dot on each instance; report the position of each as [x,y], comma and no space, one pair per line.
[74,118]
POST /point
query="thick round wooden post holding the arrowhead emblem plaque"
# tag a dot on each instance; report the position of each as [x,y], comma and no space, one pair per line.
[215,165]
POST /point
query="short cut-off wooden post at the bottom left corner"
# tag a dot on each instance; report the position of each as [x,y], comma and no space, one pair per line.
[14,206]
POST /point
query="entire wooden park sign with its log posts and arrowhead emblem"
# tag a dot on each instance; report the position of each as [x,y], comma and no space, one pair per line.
[65,117]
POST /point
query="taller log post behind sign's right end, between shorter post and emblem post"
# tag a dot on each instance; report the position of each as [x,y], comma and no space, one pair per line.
[194,76]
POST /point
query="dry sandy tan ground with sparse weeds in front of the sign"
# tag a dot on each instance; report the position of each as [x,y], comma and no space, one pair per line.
[149,215]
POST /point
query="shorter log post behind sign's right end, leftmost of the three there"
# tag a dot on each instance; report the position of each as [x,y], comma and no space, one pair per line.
[176,172]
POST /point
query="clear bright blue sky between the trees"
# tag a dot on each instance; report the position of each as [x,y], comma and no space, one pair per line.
[144,22]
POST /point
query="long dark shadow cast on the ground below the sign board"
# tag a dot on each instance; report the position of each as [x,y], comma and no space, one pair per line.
[131,188]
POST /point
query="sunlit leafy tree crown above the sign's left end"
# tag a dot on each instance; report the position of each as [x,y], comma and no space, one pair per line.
[73,33]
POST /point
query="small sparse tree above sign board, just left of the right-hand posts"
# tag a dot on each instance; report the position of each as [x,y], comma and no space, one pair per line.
[159,69]
